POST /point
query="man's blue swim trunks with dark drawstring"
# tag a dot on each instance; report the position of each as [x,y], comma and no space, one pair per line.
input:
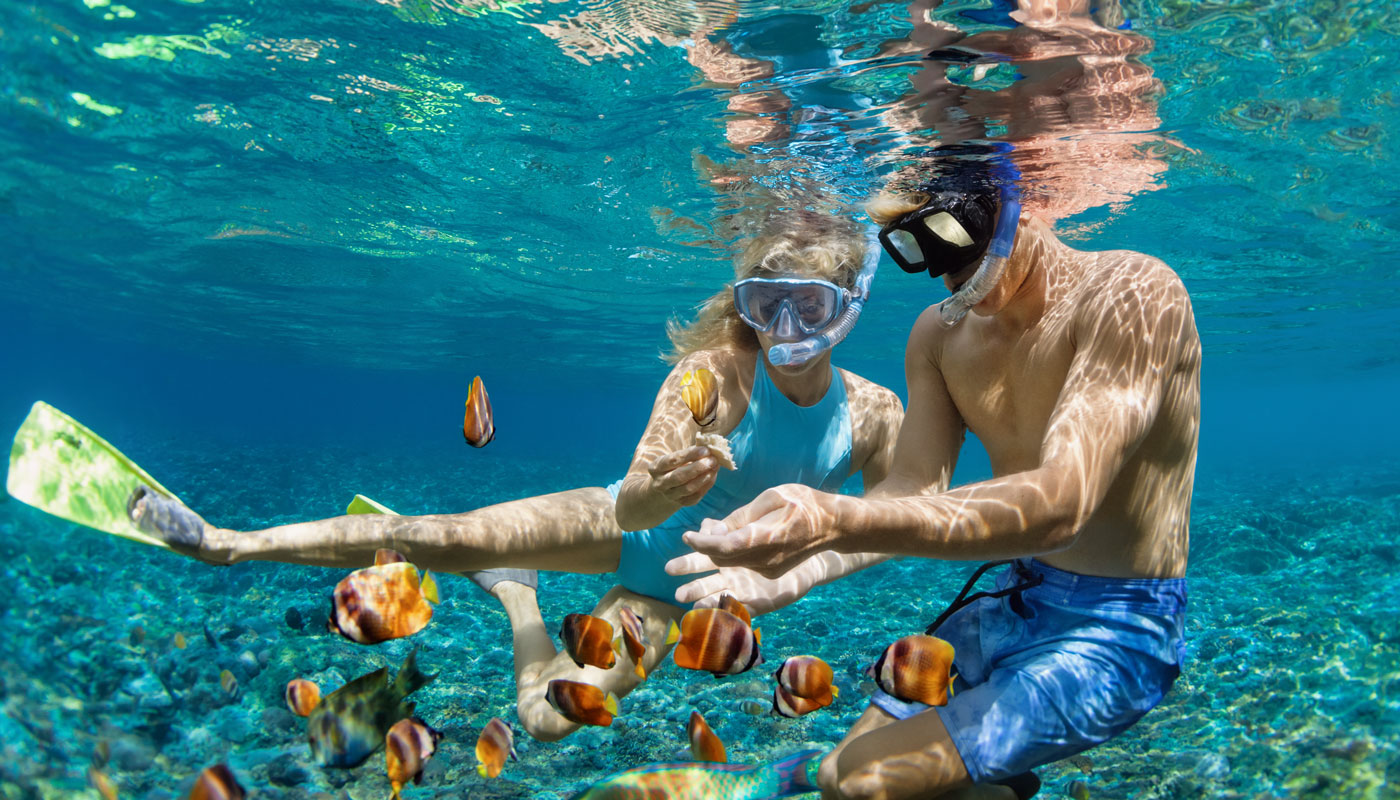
[1058,669]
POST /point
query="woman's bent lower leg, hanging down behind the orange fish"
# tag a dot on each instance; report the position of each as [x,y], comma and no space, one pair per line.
[538,663]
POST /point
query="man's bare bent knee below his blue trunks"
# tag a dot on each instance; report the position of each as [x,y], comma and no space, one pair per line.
[888,759]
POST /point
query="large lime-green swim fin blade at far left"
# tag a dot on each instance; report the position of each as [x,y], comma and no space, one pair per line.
[61,467]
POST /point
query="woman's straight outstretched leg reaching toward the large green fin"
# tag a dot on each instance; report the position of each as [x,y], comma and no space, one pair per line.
[566,532]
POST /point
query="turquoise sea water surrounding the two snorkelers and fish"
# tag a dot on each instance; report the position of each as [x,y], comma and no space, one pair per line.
[264,247]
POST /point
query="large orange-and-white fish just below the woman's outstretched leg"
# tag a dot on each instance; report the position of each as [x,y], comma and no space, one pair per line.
[380,603]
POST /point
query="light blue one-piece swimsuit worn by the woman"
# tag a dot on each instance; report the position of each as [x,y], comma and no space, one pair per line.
[778,442]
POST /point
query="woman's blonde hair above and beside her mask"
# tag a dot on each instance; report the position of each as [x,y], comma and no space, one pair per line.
[813,244]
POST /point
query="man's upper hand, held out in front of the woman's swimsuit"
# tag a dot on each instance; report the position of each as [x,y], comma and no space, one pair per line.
[780,529]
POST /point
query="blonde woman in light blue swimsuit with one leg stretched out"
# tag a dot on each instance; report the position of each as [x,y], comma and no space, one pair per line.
[808,424]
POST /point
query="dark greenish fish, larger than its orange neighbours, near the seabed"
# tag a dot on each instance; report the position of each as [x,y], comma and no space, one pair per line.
[351,722]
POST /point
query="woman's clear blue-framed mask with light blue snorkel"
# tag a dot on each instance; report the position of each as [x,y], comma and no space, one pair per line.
[808,320]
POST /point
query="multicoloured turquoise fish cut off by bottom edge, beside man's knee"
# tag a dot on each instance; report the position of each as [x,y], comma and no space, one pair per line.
[701,781]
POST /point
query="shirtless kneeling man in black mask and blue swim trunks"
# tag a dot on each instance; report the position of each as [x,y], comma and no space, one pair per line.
[1080,373]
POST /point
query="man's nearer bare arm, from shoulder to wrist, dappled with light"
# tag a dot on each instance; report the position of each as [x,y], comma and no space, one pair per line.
[1130,340]
